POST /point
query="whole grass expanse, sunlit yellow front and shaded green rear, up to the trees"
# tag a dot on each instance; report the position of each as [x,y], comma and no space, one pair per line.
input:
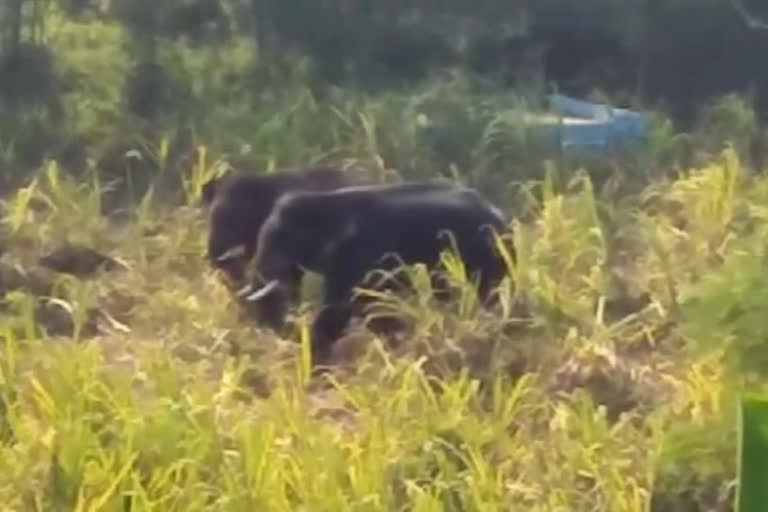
[160,394]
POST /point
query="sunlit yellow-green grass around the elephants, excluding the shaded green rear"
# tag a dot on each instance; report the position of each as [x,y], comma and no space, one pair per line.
[607,381]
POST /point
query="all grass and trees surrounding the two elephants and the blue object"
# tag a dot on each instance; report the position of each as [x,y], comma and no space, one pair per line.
[608,381]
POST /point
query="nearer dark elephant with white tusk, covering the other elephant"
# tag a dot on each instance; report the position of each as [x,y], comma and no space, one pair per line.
[344,234]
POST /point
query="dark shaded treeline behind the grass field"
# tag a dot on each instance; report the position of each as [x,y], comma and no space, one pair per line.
[82,74]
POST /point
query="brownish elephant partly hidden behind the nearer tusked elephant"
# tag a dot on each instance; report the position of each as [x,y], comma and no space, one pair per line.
[240,202]
